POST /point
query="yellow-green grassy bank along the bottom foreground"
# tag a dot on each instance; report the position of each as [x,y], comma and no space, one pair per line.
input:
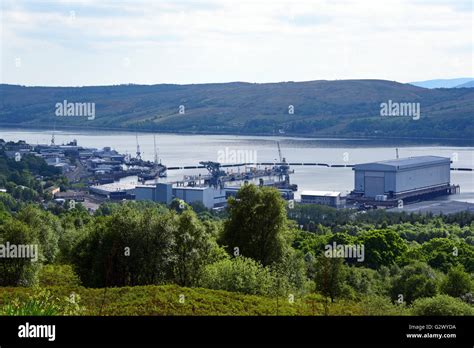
[175,300]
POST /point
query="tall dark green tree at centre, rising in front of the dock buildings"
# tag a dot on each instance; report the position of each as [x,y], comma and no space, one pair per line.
[257,225]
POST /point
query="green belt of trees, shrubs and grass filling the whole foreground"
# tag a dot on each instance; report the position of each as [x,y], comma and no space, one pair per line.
[145,258]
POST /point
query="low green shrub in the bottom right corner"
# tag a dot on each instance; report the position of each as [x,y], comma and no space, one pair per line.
[441,305]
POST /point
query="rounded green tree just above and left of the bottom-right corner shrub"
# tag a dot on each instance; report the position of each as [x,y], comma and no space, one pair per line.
[415,281]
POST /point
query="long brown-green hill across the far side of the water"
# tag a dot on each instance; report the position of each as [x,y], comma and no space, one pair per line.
[321,108]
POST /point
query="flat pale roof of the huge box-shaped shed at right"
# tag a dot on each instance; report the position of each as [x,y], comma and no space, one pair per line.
[403,163]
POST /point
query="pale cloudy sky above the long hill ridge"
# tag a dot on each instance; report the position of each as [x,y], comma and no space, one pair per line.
[83,43]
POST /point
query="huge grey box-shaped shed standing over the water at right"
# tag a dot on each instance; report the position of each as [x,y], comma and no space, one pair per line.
[405,176]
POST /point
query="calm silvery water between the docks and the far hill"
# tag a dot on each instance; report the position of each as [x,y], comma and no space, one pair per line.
[178,150]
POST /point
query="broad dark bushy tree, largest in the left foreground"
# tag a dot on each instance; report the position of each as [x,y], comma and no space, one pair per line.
[129,247]
